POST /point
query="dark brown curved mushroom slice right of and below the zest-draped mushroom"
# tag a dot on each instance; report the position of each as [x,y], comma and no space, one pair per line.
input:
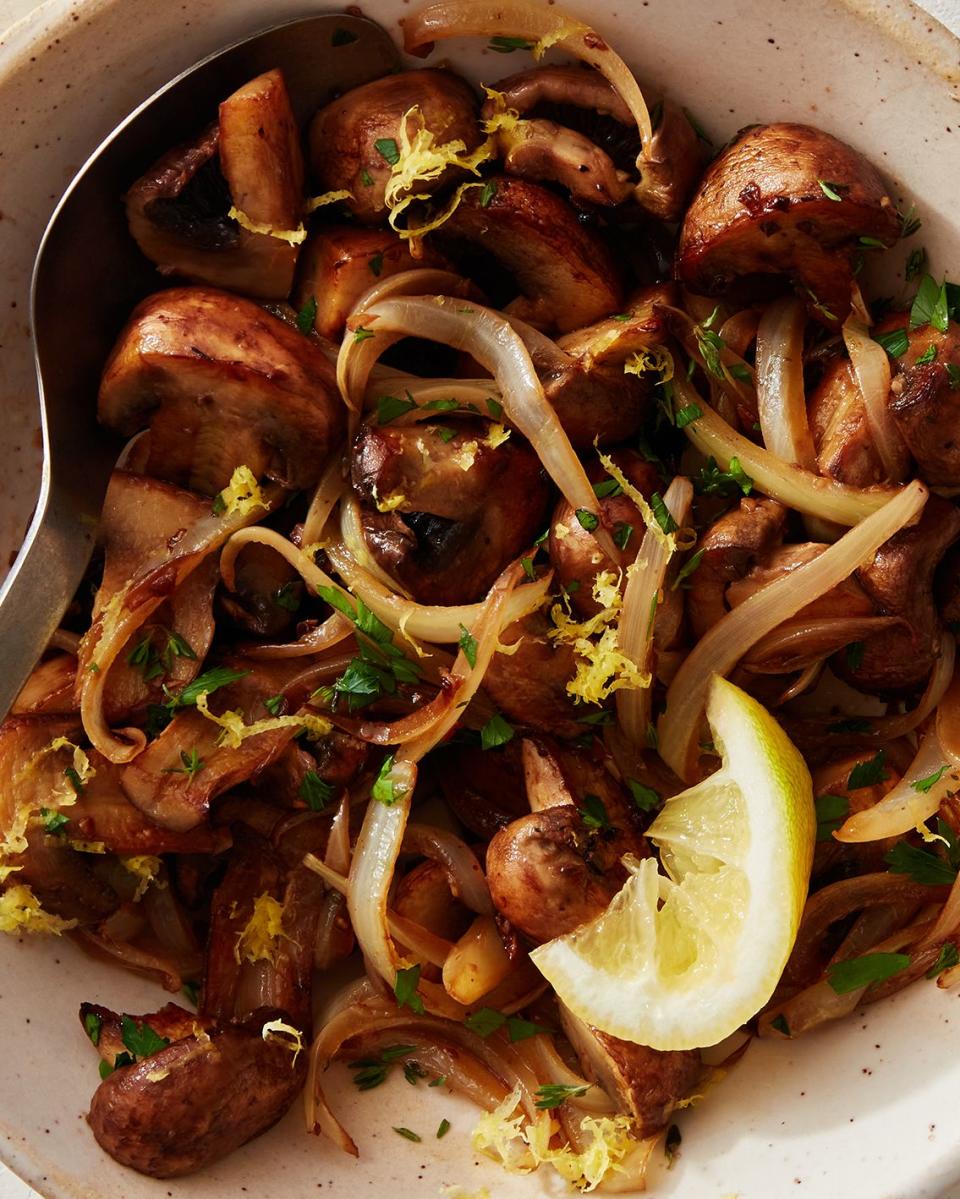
[565,273]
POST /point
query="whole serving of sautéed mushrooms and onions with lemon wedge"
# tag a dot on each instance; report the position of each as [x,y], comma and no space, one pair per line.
[545,475]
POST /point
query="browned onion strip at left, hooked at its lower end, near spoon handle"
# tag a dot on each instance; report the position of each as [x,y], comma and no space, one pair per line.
[130,610]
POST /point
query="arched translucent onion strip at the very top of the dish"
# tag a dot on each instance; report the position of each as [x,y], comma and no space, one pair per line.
[540,23]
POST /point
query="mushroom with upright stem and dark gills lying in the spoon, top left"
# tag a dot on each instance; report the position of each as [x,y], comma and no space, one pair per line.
[252,161]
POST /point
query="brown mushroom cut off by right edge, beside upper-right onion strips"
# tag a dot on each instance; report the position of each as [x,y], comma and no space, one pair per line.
[926,403]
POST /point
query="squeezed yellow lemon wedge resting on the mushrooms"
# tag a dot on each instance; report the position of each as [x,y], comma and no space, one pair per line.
[684,959]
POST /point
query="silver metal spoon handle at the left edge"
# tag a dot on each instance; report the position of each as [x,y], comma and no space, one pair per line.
[37,593]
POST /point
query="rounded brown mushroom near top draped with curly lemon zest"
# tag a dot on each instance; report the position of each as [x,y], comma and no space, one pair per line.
[355,140]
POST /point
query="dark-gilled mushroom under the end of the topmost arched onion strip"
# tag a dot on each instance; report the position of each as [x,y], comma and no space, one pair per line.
[578,132]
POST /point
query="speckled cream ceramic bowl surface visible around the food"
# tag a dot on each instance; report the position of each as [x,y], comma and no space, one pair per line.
[867,1110]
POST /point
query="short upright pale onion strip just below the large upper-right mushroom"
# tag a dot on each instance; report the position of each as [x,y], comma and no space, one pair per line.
[781,401]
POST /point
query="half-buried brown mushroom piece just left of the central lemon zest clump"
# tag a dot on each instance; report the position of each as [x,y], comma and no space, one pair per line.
[530,685]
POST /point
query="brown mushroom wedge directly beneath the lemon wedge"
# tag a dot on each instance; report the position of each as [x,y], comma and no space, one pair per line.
[648,1084]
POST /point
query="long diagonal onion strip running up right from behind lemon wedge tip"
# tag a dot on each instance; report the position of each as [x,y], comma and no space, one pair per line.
[741,629]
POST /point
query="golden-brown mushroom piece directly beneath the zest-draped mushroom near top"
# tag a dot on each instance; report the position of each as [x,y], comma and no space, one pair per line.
[339,264]
